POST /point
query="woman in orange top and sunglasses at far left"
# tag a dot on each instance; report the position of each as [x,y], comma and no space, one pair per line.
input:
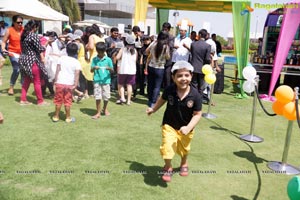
[13,36]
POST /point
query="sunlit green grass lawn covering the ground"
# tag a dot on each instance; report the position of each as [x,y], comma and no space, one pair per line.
[117,157]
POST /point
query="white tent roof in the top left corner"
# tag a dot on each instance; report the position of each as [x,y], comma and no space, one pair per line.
[33,9]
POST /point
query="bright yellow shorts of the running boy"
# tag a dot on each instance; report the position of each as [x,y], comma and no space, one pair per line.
[173,141]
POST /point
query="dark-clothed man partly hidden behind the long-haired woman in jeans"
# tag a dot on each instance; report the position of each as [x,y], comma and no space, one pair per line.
[168,78]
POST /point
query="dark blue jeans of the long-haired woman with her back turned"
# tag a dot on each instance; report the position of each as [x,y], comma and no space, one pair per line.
[155,79]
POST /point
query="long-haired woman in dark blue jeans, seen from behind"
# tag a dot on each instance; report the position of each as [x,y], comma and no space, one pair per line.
[159,53]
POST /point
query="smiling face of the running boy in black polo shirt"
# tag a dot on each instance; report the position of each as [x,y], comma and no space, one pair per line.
[182,78]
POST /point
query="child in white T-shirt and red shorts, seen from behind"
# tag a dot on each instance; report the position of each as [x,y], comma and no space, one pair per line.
[66,80]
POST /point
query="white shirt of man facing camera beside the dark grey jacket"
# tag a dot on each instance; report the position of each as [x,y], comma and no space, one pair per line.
[181,53]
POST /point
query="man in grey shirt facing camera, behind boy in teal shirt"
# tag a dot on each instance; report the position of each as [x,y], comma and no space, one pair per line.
[110,43]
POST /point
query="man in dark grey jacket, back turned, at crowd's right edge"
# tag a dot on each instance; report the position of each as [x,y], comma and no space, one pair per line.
[200,52]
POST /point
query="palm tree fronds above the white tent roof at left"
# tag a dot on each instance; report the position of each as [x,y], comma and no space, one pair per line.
[67,7]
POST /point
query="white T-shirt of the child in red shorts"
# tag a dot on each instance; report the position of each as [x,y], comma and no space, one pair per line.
[68,67]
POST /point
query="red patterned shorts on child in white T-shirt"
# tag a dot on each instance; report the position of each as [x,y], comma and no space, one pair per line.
[63,95]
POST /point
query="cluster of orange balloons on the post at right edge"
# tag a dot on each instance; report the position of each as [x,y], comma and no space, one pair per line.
[285,102]
